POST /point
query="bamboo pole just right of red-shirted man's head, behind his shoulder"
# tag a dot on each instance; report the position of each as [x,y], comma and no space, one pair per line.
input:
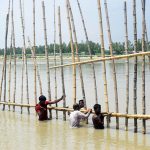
[46,55]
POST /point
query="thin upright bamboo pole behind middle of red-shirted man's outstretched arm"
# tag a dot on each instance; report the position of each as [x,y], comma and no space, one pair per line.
[55,71]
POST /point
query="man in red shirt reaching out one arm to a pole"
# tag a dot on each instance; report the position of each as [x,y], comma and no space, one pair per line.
[41,107]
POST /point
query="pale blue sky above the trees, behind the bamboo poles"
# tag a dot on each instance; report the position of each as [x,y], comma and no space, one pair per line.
[90,14]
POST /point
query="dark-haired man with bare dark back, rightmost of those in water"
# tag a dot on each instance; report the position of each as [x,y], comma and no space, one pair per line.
[98,118]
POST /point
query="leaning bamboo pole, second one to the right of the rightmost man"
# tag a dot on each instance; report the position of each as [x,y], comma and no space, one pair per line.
[113,64]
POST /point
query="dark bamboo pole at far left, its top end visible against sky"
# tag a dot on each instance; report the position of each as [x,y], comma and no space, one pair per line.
[5,58]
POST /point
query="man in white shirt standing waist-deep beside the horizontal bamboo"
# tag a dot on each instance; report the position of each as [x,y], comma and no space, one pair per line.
[76,116]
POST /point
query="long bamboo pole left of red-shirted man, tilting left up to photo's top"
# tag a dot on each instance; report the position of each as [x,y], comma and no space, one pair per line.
[24,53]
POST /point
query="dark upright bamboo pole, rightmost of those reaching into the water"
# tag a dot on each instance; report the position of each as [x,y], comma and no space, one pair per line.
[143,67]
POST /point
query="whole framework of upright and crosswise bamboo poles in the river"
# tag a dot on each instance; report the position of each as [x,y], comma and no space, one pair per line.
[76,62]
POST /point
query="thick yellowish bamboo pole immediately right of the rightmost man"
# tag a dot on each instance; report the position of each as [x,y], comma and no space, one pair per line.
[103,55]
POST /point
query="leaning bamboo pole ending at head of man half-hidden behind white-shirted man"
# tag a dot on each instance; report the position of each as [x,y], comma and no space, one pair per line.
[77,53]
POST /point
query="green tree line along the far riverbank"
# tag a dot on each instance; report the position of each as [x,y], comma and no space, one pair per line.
[118,48]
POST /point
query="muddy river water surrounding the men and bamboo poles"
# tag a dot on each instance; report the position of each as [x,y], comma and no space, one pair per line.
[23,131]
